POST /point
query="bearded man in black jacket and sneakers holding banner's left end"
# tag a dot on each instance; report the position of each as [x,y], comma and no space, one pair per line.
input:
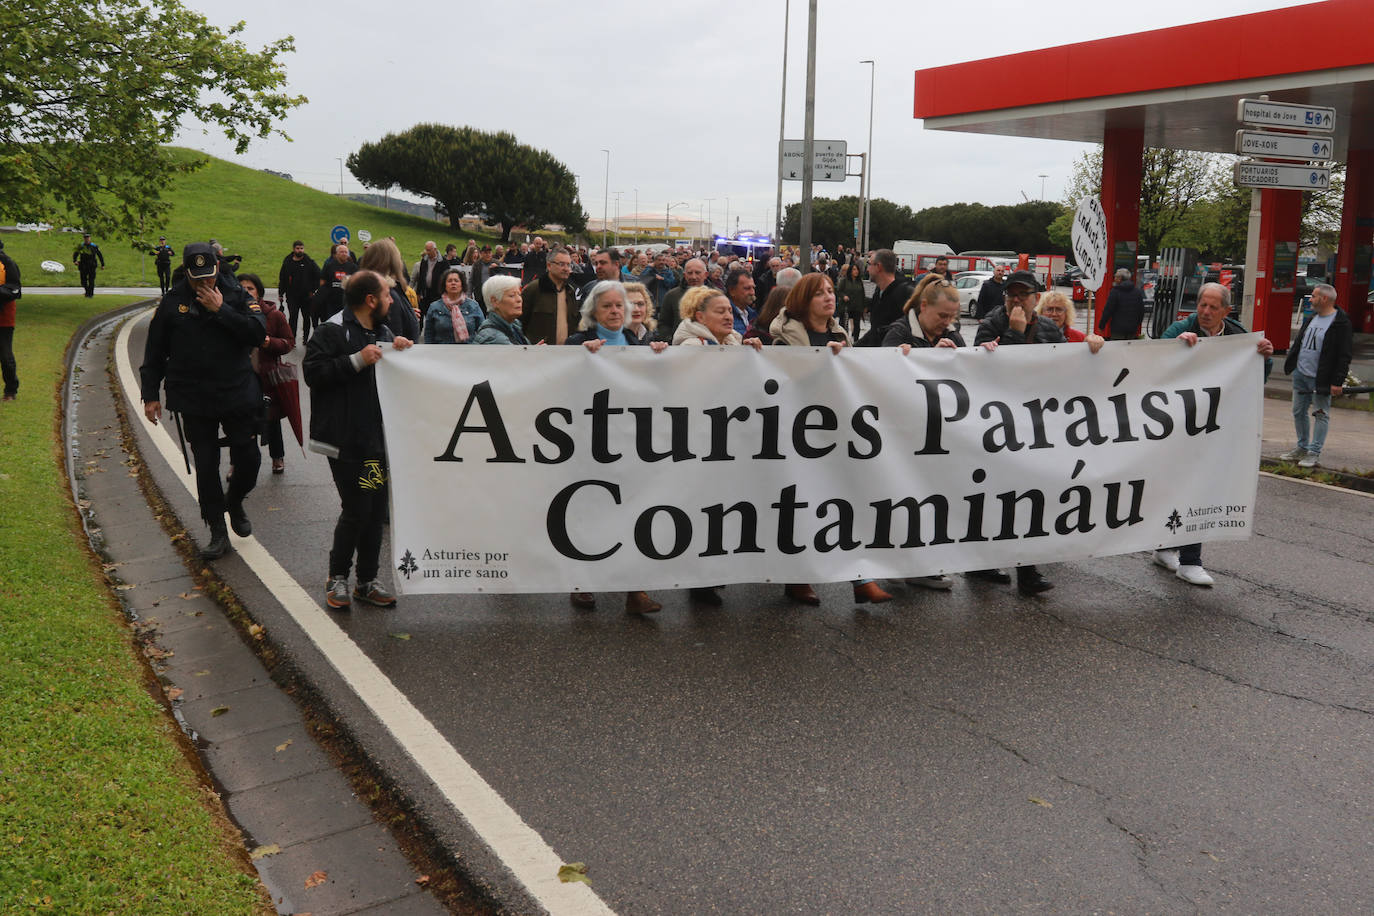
[347,428]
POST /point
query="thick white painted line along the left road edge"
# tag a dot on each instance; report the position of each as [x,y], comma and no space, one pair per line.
[515,843]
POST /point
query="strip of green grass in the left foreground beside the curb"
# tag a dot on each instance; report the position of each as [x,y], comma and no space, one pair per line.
[100,811]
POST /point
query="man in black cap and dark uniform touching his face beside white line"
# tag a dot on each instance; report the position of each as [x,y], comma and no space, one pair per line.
[199,345]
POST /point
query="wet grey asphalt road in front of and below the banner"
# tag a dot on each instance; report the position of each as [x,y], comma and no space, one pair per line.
[1126,744]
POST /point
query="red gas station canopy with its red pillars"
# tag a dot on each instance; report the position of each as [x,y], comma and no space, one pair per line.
[1180,89]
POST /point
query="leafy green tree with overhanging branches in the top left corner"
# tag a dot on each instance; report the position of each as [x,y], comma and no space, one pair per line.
[90,91]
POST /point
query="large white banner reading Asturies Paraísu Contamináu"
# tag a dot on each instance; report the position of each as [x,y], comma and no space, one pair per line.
[546,469]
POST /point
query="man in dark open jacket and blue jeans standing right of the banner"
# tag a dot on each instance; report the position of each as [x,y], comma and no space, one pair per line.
[1318,362]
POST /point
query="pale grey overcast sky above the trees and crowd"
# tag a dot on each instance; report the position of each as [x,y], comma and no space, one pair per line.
[686,101]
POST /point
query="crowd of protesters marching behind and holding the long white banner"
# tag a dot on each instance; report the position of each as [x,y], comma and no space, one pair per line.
[657,297]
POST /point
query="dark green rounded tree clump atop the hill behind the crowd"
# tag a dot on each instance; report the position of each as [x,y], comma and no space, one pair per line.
[469,171]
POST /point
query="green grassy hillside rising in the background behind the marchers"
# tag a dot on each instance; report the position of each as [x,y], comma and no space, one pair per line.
[251,212]
